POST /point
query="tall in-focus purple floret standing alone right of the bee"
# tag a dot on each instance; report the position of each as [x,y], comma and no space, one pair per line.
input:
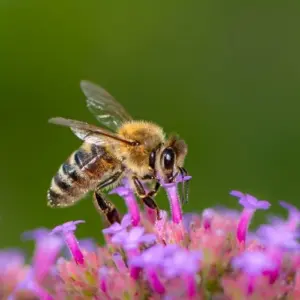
[250,204]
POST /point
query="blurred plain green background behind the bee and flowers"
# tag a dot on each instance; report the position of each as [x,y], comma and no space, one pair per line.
[223,74]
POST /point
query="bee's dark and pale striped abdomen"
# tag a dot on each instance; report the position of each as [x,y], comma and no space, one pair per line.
[81,173]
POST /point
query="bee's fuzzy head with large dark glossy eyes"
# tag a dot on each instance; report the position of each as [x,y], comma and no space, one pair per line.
[167,160]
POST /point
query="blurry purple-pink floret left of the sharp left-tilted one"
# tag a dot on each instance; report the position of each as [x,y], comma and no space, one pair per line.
[47,248]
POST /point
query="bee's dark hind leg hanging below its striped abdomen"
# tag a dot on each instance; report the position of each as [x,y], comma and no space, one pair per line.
[102,204]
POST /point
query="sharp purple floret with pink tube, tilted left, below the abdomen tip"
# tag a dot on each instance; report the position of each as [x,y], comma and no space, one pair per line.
[67,231]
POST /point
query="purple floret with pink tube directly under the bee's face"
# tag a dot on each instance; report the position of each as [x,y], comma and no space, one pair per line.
[175,203]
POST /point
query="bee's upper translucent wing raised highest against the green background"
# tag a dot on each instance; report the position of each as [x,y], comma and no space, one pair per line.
[103,106]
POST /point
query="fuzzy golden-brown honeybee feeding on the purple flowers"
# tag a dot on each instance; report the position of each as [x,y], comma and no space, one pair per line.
[136,150]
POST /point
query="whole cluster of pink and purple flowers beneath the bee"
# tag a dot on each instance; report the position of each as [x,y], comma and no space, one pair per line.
[190,256]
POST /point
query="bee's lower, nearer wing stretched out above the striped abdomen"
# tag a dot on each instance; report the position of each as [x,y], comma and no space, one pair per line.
[91,133]
